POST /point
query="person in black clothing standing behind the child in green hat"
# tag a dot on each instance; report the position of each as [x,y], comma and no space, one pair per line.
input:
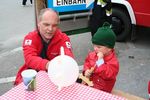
[101,12]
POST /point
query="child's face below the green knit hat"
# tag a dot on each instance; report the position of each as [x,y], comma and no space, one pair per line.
[98,48]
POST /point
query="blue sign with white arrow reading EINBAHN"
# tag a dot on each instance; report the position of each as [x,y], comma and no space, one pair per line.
[70,5]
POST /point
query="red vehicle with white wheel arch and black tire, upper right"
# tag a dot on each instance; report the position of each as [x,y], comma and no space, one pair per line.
[127,14]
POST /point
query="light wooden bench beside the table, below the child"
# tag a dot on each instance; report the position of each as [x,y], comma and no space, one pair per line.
[126,95]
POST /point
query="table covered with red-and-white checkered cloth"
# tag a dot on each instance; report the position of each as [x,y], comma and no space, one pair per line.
[46,90]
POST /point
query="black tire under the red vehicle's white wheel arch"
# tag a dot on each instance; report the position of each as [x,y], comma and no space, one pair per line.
[121,24]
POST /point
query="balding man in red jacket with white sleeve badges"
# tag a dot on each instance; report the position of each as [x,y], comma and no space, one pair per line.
[42,45]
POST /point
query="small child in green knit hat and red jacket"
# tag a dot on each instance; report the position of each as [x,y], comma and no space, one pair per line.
[101,66]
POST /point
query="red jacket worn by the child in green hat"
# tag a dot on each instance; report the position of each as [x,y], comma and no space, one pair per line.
[104,76]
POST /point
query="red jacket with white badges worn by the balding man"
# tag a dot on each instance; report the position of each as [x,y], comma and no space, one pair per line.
[32,47]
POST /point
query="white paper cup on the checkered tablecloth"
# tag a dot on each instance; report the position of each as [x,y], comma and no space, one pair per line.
[28,77]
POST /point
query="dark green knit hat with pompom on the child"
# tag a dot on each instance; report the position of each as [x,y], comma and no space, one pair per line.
[104,36]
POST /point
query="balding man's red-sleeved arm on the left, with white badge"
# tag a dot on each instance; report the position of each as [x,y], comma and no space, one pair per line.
[31,54]
